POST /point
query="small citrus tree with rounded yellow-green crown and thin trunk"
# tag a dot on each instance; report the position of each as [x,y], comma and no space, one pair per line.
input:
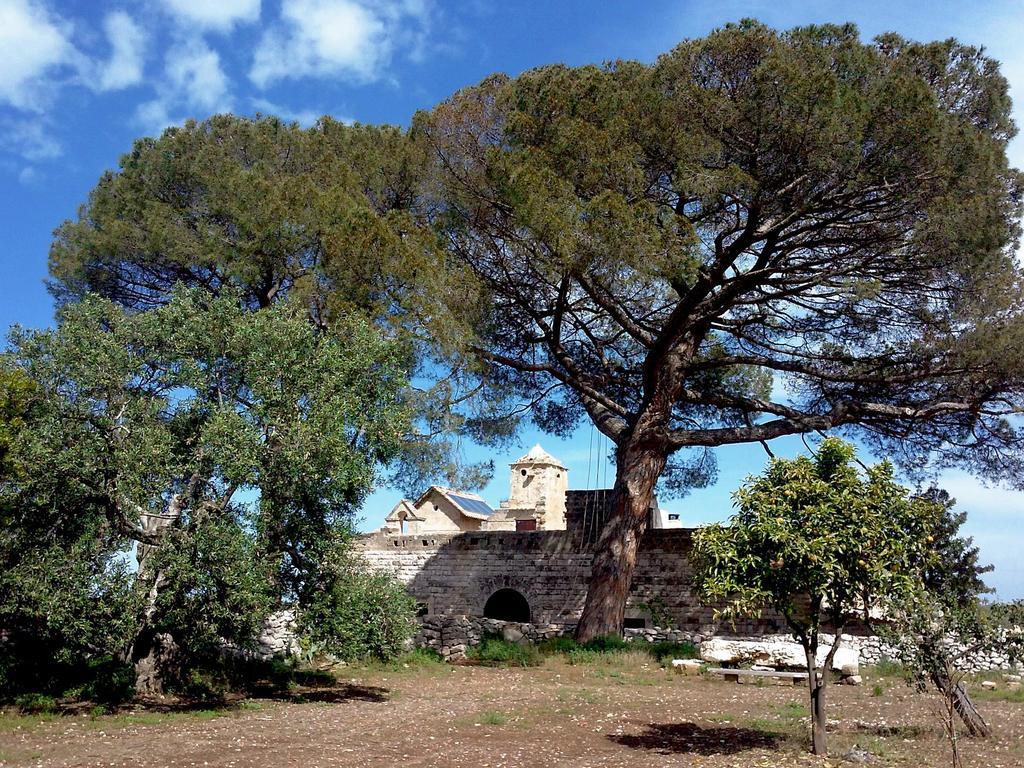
[818,541]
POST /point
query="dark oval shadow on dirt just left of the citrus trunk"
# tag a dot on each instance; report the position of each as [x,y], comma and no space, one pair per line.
[677,739]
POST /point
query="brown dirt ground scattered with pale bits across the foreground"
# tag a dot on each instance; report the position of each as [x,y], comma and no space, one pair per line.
[620,713]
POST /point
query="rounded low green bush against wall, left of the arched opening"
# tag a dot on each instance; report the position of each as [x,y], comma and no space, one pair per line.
[355,614]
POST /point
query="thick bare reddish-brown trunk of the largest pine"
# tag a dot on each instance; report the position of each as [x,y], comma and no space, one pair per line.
[637,471]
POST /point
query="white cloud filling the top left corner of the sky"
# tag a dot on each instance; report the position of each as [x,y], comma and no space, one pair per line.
[33,47]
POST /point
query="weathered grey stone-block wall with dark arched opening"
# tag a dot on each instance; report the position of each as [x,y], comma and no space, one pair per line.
[454,575]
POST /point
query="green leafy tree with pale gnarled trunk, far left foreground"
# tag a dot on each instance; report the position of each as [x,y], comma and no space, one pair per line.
[155,428]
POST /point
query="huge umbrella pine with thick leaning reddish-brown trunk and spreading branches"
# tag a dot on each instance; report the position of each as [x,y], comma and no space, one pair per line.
[762,234]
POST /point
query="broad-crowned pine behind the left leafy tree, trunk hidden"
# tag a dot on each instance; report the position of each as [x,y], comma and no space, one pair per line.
[329,218]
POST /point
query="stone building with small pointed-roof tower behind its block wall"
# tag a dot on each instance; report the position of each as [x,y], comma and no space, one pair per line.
[530,561]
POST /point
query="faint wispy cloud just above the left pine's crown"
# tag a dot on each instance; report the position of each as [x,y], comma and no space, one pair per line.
[194,86]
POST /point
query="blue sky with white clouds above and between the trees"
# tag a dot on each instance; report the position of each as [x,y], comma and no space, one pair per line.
[80,79]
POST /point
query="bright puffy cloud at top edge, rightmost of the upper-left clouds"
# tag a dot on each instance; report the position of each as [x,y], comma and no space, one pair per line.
[337,38]
